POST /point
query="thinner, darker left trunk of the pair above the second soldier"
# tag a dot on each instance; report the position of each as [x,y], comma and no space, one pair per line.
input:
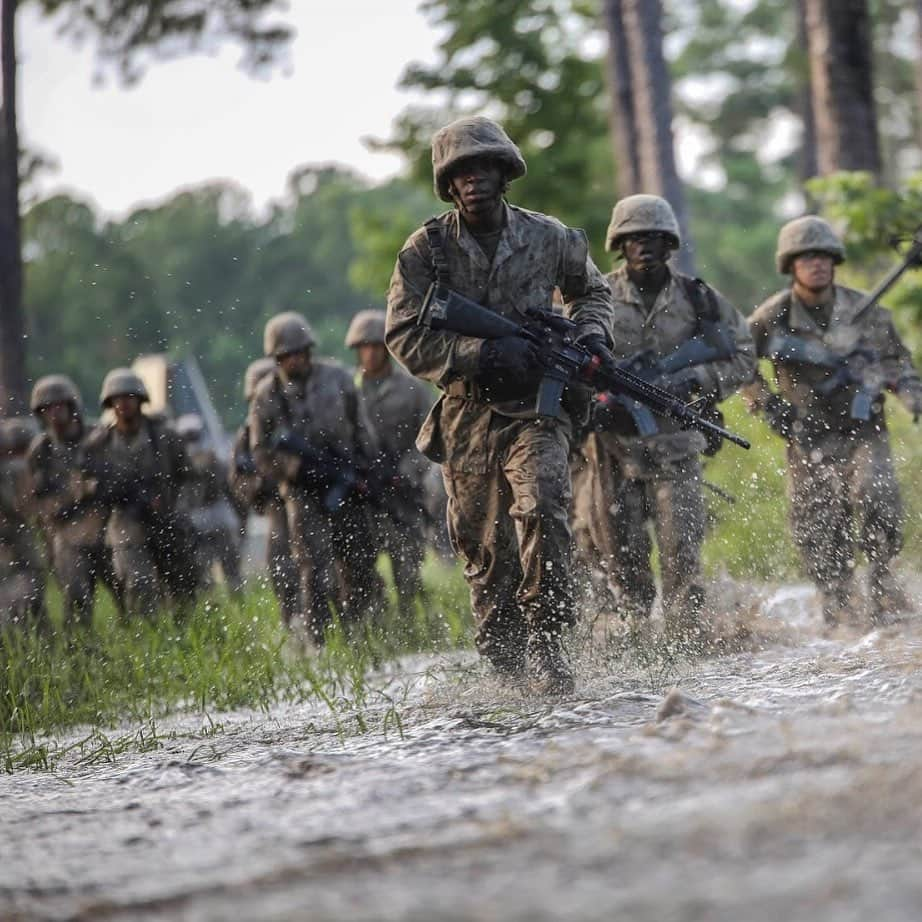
[623,122]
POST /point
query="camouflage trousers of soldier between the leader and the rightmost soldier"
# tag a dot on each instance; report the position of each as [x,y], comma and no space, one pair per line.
[616,514]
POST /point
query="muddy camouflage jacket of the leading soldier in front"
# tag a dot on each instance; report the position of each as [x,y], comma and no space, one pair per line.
[536,256]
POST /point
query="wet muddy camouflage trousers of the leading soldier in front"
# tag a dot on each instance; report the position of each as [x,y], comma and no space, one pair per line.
[510,527]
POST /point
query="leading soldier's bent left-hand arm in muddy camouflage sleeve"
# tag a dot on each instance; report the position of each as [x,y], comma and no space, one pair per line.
[438,357]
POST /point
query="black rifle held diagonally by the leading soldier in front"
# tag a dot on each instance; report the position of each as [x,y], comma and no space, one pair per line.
[564,360]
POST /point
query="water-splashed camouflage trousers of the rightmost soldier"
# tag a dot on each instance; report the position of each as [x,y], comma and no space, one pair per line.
[843,501]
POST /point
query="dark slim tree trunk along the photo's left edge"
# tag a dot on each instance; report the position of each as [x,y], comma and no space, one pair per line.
[12,324]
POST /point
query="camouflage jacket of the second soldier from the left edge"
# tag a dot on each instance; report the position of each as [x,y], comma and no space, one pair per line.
[63,493]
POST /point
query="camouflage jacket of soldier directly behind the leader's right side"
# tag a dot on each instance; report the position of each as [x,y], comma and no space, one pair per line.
[671,322]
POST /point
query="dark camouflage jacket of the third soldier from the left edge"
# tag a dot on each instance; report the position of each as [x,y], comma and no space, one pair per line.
[148,465]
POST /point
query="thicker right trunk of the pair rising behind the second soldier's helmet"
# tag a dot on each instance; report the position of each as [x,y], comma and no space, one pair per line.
[635,29]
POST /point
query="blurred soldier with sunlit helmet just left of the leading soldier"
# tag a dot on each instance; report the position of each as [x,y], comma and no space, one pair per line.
[396,405]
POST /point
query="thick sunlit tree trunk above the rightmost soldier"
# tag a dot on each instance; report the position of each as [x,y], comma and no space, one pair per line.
[839,43]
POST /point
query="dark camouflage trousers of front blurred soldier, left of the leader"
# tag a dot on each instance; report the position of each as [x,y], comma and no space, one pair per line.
[335,558]
